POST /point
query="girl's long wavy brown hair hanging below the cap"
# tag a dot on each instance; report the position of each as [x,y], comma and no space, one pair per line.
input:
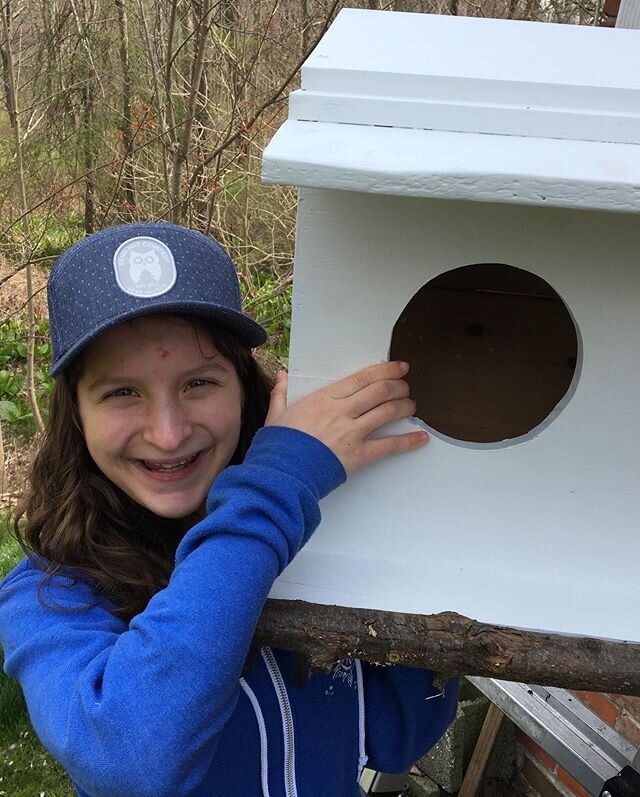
[73,518]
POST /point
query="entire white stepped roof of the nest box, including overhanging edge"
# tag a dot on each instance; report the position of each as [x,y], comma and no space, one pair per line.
[467,108]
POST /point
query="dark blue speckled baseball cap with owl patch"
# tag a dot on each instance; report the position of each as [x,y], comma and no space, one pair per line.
[139,269]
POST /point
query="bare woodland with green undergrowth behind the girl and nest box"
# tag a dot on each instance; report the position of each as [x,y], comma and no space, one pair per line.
[120,110]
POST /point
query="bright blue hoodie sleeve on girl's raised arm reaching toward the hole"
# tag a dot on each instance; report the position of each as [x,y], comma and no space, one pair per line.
[109,700]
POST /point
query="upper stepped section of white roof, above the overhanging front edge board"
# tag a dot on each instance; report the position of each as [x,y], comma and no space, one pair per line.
[474,75]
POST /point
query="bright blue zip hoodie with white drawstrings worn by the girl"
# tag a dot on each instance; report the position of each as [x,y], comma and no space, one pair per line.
[159,707]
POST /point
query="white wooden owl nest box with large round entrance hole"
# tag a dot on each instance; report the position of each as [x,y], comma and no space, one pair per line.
[469,199]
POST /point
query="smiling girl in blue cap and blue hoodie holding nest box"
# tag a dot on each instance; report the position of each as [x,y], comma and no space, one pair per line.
[129,625]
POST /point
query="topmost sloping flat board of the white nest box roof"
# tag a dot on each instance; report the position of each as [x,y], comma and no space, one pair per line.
[362,47]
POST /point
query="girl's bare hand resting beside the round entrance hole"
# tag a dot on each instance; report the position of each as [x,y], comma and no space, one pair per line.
[343,415]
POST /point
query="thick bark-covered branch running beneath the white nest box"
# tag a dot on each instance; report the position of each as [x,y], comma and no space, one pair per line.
[449,644]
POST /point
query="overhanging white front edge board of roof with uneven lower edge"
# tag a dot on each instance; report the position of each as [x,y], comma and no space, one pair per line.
[482,168]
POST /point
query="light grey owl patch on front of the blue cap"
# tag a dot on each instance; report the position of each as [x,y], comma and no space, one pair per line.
[144,267]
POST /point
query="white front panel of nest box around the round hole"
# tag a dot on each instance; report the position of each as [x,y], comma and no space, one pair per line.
[542,534]
